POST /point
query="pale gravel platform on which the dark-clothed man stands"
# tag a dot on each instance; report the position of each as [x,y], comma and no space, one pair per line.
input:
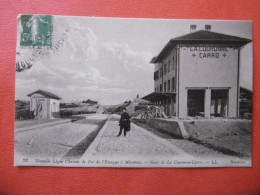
[137,143]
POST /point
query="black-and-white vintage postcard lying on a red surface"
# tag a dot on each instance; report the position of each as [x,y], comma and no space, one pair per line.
[118,92]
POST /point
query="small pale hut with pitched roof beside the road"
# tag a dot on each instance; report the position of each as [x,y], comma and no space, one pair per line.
[44,105]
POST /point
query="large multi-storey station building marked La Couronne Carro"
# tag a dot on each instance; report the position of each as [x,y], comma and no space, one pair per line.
[197,74]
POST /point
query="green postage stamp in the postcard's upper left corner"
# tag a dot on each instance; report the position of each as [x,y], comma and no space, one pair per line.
[36,30]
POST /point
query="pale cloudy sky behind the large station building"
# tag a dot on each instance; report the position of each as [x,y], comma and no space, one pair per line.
[107,59]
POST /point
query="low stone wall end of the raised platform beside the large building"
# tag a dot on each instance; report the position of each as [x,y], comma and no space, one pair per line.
[167,126]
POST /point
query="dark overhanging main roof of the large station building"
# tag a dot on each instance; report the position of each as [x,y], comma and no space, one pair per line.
[201,36]
